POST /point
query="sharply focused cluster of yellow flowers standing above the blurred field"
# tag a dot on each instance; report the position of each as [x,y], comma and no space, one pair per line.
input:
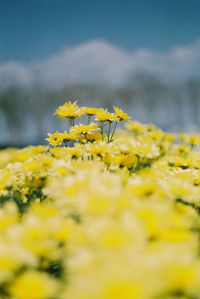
[89,132]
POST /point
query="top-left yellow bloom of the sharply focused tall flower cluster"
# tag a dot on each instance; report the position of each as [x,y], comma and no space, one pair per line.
[70,110]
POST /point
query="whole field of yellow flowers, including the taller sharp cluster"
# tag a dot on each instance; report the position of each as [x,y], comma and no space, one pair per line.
[101,213]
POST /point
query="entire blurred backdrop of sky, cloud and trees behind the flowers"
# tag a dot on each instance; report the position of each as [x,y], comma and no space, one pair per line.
[141,55]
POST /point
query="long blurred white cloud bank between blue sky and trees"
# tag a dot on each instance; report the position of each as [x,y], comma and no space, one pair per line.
[102,62]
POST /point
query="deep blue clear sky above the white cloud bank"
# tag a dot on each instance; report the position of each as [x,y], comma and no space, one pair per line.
[34,29]
